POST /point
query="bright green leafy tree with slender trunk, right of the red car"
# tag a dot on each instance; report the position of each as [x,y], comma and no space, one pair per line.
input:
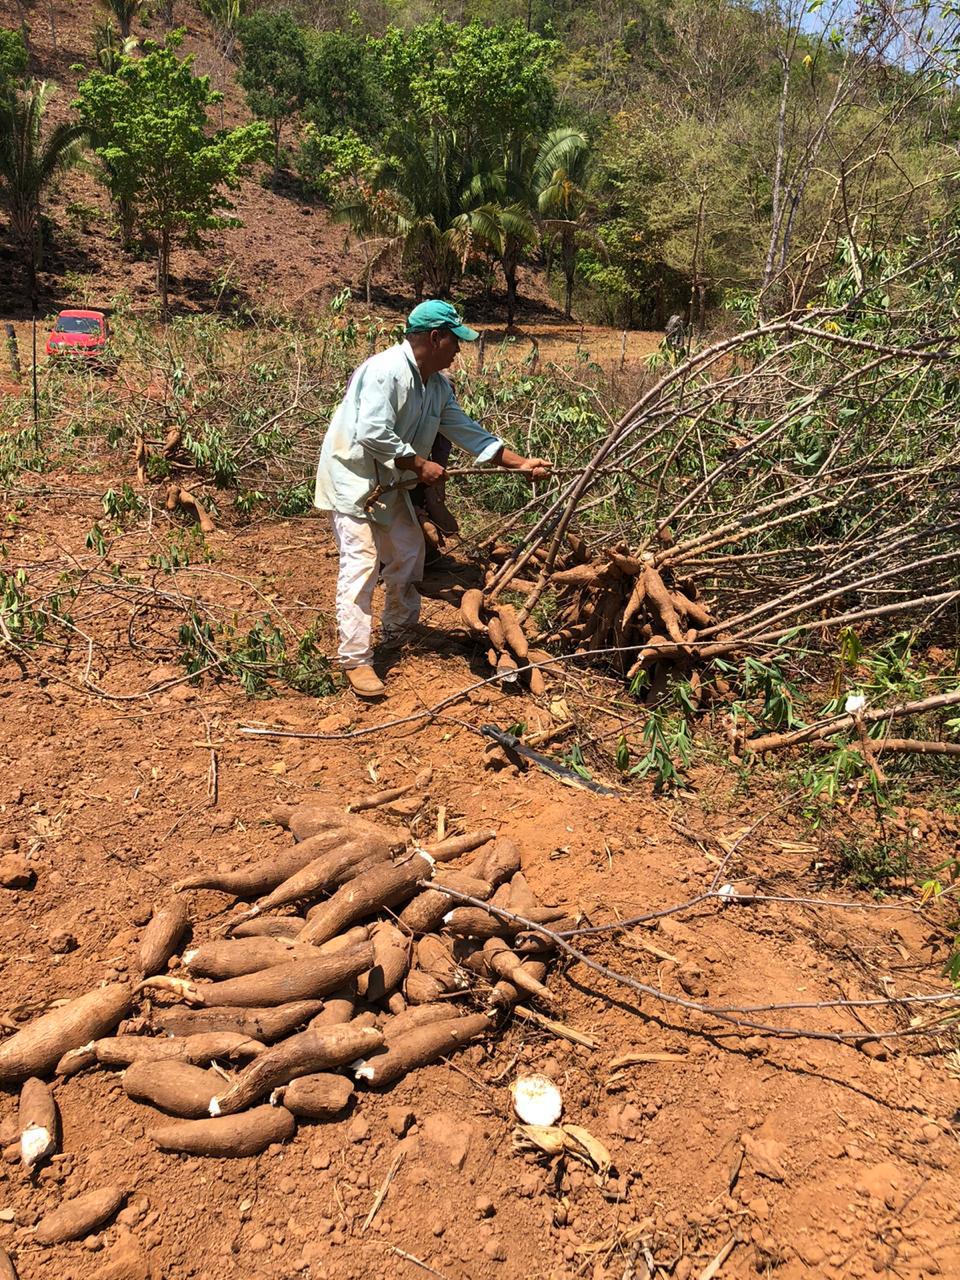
[150,130]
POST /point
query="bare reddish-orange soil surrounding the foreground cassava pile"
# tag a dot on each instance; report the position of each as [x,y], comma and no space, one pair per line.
[815,1159]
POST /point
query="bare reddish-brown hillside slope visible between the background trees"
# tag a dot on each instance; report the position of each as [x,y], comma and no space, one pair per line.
[287,255]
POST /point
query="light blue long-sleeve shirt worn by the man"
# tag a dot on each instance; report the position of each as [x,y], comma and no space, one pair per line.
[388,413]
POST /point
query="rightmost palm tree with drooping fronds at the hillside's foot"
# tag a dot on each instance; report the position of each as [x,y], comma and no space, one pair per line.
[560,175]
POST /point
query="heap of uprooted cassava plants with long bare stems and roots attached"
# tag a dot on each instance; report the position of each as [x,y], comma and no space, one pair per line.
[778,490]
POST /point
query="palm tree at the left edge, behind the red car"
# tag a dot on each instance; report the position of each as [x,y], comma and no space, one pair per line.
[30,162]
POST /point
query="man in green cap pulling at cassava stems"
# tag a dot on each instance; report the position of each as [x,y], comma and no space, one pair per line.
[376,450]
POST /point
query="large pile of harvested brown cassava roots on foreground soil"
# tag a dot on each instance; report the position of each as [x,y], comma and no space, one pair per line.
[281,1017]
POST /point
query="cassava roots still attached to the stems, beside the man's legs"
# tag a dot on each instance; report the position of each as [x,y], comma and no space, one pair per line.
[634,605]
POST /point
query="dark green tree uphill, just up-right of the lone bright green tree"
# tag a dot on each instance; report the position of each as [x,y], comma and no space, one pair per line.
[273,70]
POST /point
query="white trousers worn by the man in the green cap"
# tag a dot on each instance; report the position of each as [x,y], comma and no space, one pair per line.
[364,547]
